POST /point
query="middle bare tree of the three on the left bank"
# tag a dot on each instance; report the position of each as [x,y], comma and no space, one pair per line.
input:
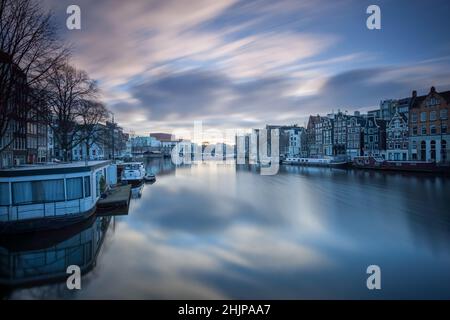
[67,90]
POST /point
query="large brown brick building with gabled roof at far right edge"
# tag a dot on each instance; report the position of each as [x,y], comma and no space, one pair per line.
[429,136]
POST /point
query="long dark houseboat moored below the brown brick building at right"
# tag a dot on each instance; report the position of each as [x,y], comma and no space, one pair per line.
[379,163]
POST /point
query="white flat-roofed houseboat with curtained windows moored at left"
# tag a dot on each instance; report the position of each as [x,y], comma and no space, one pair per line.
[42,197]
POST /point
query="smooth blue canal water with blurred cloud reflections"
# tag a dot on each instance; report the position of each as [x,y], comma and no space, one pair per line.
[218,231]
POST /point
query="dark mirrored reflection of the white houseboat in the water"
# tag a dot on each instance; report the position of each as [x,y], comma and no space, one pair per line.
[36,259]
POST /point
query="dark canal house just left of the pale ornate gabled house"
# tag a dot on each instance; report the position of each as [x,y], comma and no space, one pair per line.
[374,137]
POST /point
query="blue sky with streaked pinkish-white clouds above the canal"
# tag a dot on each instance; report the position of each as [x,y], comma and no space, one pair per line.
[240,64]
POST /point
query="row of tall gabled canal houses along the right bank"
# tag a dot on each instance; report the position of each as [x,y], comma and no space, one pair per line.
[412,128]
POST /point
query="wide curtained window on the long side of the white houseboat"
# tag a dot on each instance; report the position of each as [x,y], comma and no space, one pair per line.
[38,191]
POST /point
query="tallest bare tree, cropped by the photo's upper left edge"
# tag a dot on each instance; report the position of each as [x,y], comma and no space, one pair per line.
[29,49]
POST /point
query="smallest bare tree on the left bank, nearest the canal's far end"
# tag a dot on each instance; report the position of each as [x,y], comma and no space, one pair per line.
[92,114]
